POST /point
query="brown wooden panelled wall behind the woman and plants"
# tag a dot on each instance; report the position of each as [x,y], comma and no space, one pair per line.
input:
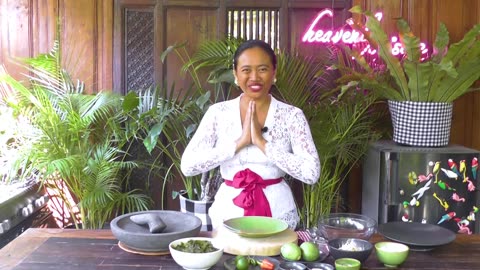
[92,32]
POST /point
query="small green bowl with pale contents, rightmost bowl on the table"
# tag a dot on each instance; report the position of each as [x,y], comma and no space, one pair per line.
[391,254]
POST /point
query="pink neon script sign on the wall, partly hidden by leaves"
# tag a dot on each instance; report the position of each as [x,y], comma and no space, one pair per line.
[353,37]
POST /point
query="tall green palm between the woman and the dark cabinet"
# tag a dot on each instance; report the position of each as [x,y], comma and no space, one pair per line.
[342,128]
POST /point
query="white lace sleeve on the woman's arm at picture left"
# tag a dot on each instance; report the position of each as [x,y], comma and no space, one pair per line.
[203,152]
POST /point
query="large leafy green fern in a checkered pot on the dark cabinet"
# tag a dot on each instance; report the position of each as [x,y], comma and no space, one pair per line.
[418,88]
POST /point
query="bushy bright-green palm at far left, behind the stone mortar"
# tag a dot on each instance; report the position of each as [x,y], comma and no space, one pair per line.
[78,141]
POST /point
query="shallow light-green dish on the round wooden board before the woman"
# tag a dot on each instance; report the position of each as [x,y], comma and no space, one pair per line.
[255,227]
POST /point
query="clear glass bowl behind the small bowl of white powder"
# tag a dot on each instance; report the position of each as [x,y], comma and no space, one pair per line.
[346,225]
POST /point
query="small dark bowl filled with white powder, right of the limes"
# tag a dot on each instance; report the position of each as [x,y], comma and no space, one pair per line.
[350,248]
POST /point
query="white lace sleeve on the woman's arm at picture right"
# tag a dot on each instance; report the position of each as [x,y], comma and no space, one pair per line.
[302,161]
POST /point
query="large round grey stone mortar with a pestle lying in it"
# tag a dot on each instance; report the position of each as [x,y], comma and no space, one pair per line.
[139,238]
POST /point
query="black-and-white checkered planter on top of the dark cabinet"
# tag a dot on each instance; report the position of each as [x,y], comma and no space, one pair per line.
[424,124]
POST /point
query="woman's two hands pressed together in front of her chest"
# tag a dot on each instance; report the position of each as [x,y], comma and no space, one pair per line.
[252,130]
